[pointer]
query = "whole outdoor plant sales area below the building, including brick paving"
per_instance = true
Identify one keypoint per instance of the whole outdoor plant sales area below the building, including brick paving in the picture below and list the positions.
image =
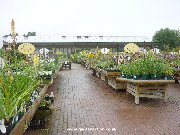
(100, 91)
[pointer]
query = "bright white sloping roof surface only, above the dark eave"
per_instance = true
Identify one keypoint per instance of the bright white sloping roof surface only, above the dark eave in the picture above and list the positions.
(20, 39)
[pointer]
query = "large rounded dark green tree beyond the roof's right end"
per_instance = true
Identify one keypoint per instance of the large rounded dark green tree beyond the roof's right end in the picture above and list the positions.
(167, 39)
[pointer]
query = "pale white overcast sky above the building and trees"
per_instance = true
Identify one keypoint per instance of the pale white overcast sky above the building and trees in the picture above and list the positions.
(90, 17)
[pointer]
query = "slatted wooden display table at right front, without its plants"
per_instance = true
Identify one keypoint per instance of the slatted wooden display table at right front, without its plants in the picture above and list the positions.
(148, 88)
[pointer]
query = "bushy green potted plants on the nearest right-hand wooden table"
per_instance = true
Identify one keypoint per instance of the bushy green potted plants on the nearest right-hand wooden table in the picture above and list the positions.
(150, 64)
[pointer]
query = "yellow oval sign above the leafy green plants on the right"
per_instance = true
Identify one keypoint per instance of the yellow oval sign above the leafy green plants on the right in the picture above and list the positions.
(131, 48)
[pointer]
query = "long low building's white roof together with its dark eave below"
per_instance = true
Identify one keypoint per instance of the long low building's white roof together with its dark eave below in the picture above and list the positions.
(81, 41)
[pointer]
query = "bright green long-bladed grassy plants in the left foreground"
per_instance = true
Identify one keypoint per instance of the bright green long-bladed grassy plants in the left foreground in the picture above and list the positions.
(15, 89)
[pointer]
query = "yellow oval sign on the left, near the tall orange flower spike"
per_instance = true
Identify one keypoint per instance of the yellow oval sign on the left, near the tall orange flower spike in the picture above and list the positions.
(26, 48)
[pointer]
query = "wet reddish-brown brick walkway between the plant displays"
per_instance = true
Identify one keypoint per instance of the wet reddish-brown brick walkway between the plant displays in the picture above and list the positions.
(85, 105)
